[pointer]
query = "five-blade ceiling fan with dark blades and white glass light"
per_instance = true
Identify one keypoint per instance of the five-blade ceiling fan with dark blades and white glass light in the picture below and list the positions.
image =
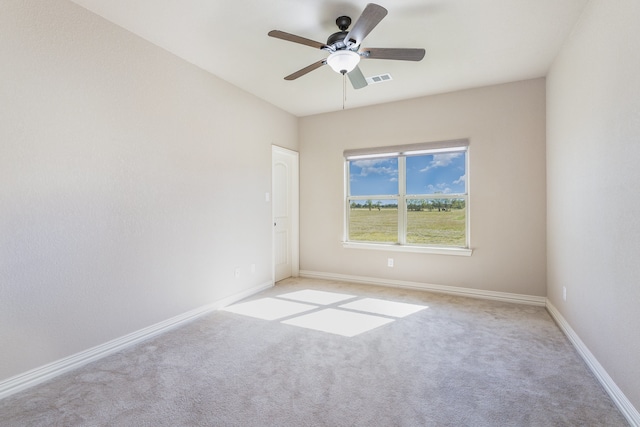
(344, 46)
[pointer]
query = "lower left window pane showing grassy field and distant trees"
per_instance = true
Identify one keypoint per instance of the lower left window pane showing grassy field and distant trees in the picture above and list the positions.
(373, 221)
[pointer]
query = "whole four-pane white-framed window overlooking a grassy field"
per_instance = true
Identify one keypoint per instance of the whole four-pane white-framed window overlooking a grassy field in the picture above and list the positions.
(412, 197)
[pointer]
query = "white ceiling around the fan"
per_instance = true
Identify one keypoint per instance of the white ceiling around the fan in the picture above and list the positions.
(468, 43)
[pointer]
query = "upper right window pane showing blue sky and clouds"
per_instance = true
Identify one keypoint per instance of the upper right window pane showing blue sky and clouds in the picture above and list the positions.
(443, 173)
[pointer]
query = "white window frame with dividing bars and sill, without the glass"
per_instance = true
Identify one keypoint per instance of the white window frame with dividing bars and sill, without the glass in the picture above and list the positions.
(401, 153)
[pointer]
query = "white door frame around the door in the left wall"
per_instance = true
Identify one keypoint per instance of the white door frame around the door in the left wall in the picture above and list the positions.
(295, 211)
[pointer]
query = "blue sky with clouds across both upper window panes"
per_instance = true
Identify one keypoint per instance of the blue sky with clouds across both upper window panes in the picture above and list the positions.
(426, 174)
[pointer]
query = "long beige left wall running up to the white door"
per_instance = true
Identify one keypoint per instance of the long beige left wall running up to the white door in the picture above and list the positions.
(131, 184)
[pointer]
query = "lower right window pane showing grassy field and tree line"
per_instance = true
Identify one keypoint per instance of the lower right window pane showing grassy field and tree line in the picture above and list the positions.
(437, 222)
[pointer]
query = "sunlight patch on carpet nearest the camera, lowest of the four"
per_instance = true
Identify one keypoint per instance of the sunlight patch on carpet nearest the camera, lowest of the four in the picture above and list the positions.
(338, 322)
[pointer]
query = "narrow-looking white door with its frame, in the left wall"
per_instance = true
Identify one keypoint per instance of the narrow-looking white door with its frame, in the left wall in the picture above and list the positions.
(285, 212)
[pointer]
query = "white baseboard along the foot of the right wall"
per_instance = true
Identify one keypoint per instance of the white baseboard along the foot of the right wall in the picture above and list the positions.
(628, 410)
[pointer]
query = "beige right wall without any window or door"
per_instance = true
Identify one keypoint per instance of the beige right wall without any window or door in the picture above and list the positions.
(593, 151)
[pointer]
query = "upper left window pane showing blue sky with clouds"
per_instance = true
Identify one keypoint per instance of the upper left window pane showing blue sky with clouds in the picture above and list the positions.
(373, 177)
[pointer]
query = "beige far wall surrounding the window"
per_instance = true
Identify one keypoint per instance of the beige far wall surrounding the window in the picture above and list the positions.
(505, 125)
